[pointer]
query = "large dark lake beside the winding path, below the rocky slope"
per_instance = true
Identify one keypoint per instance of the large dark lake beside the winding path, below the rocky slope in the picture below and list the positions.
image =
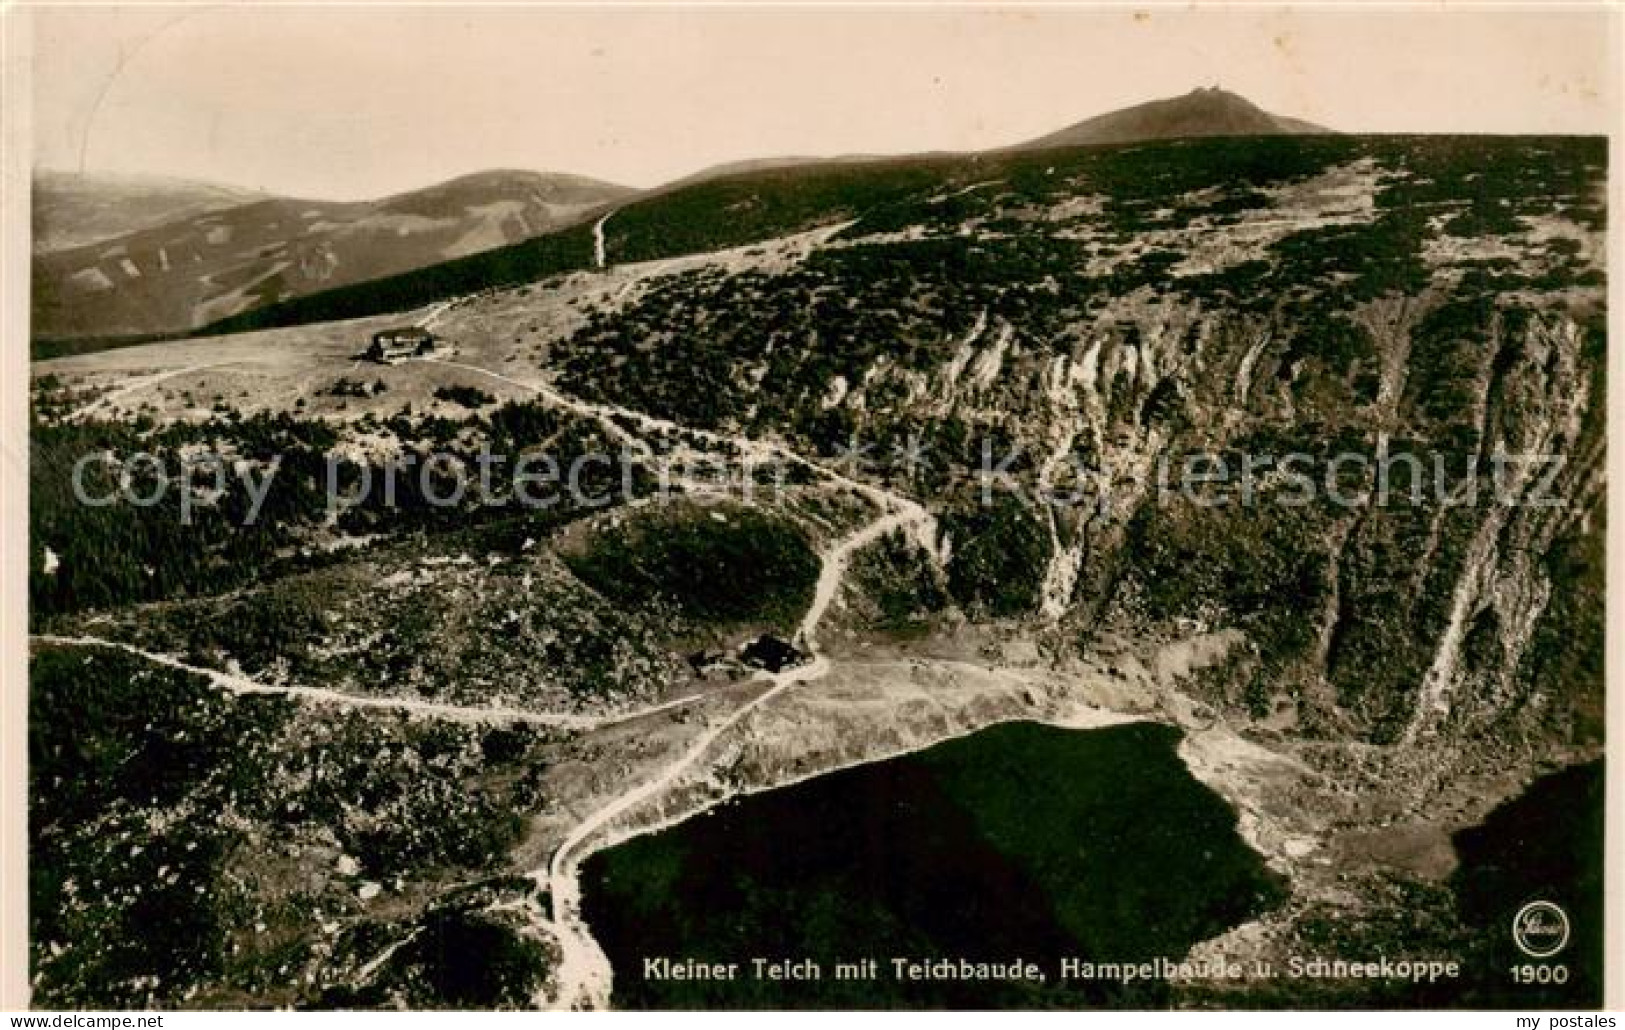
(1016, 842)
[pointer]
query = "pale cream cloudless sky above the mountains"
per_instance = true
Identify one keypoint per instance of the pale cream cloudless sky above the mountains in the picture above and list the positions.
(347, 103)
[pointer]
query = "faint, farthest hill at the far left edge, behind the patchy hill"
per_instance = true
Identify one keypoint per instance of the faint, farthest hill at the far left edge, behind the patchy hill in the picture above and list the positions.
(74, 210)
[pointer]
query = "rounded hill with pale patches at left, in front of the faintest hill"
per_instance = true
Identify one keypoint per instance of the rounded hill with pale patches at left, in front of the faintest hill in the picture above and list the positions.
(215, 264)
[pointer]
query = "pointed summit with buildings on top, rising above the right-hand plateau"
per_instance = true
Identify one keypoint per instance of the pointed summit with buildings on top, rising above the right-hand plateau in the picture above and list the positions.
(1200, 113)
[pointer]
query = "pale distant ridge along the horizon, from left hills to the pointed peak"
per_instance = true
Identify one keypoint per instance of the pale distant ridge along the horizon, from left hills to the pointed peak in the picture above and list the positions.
(274, 251)
